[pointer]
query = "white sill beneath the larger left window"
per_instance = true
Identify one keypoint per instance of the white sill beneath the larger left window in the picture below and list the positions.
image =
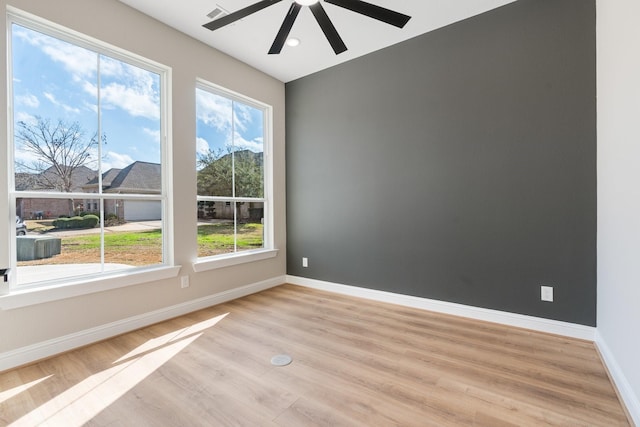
(77, 287)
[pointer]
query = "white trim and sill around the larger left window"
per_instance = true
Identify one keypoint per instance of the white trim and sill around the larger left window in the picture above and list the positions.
(12, 296)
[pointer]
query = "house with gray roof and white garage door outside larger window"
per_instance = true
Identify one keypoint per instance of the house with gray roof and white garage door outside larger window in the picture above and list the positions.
(137, 178)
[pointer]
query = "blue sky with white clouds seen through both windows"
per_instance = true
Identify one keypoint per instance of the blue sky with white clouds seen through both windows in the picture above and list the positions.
(57, 80)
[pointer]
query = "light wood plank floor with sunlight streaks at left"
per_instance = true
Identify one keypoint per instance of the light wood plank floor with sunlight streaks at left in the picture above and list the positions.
(355, 363)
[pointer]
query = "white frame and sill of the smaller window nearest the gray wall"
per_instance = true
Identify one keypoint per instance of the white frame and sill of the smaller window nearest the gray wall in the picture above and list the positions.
(268, 250)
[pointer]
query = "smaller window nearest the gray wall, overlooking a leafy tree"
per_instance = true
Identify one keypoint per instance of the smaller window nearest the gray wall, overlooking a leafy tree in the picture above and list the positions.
(232, 167)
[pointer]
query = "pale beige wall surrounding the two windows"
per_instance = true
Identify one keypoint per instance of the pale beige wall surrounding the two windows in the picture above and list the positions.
(119, 25)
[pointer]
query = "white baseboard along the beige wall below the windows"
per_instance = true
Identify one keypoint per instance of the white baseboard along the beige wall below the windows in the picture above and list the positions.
(42, 350)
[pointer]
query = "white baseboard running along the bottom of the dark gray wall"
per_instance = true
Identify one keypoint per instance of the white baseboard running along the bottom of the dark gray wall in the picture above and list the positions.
(512, 319)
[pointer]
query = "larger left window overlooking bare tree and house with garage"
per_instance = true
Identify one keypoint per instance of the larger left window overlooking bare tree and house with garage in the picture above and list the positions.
(89, 149)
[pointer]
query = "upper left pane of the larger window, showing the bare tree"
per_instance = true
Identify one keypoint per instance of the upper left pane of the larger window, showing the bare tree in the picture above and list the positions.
(55, 113)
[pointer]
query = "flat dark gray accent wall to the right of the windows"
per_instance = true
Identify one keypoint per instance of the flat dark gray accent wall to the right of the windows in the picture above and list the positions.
(458, 166)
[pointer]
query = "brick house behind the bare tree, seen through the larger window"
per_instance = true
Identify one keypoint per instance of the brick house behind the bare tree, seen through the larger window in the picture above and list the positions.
(33, 208)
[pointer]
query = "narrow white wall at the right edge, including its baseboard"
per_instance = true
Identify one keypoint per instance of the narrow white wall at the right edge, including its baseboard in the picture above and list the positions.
(618, 34)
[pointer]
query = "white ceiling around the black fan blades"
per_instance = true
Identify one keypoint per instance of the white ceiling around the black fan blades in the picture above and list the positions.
(249, 39)
